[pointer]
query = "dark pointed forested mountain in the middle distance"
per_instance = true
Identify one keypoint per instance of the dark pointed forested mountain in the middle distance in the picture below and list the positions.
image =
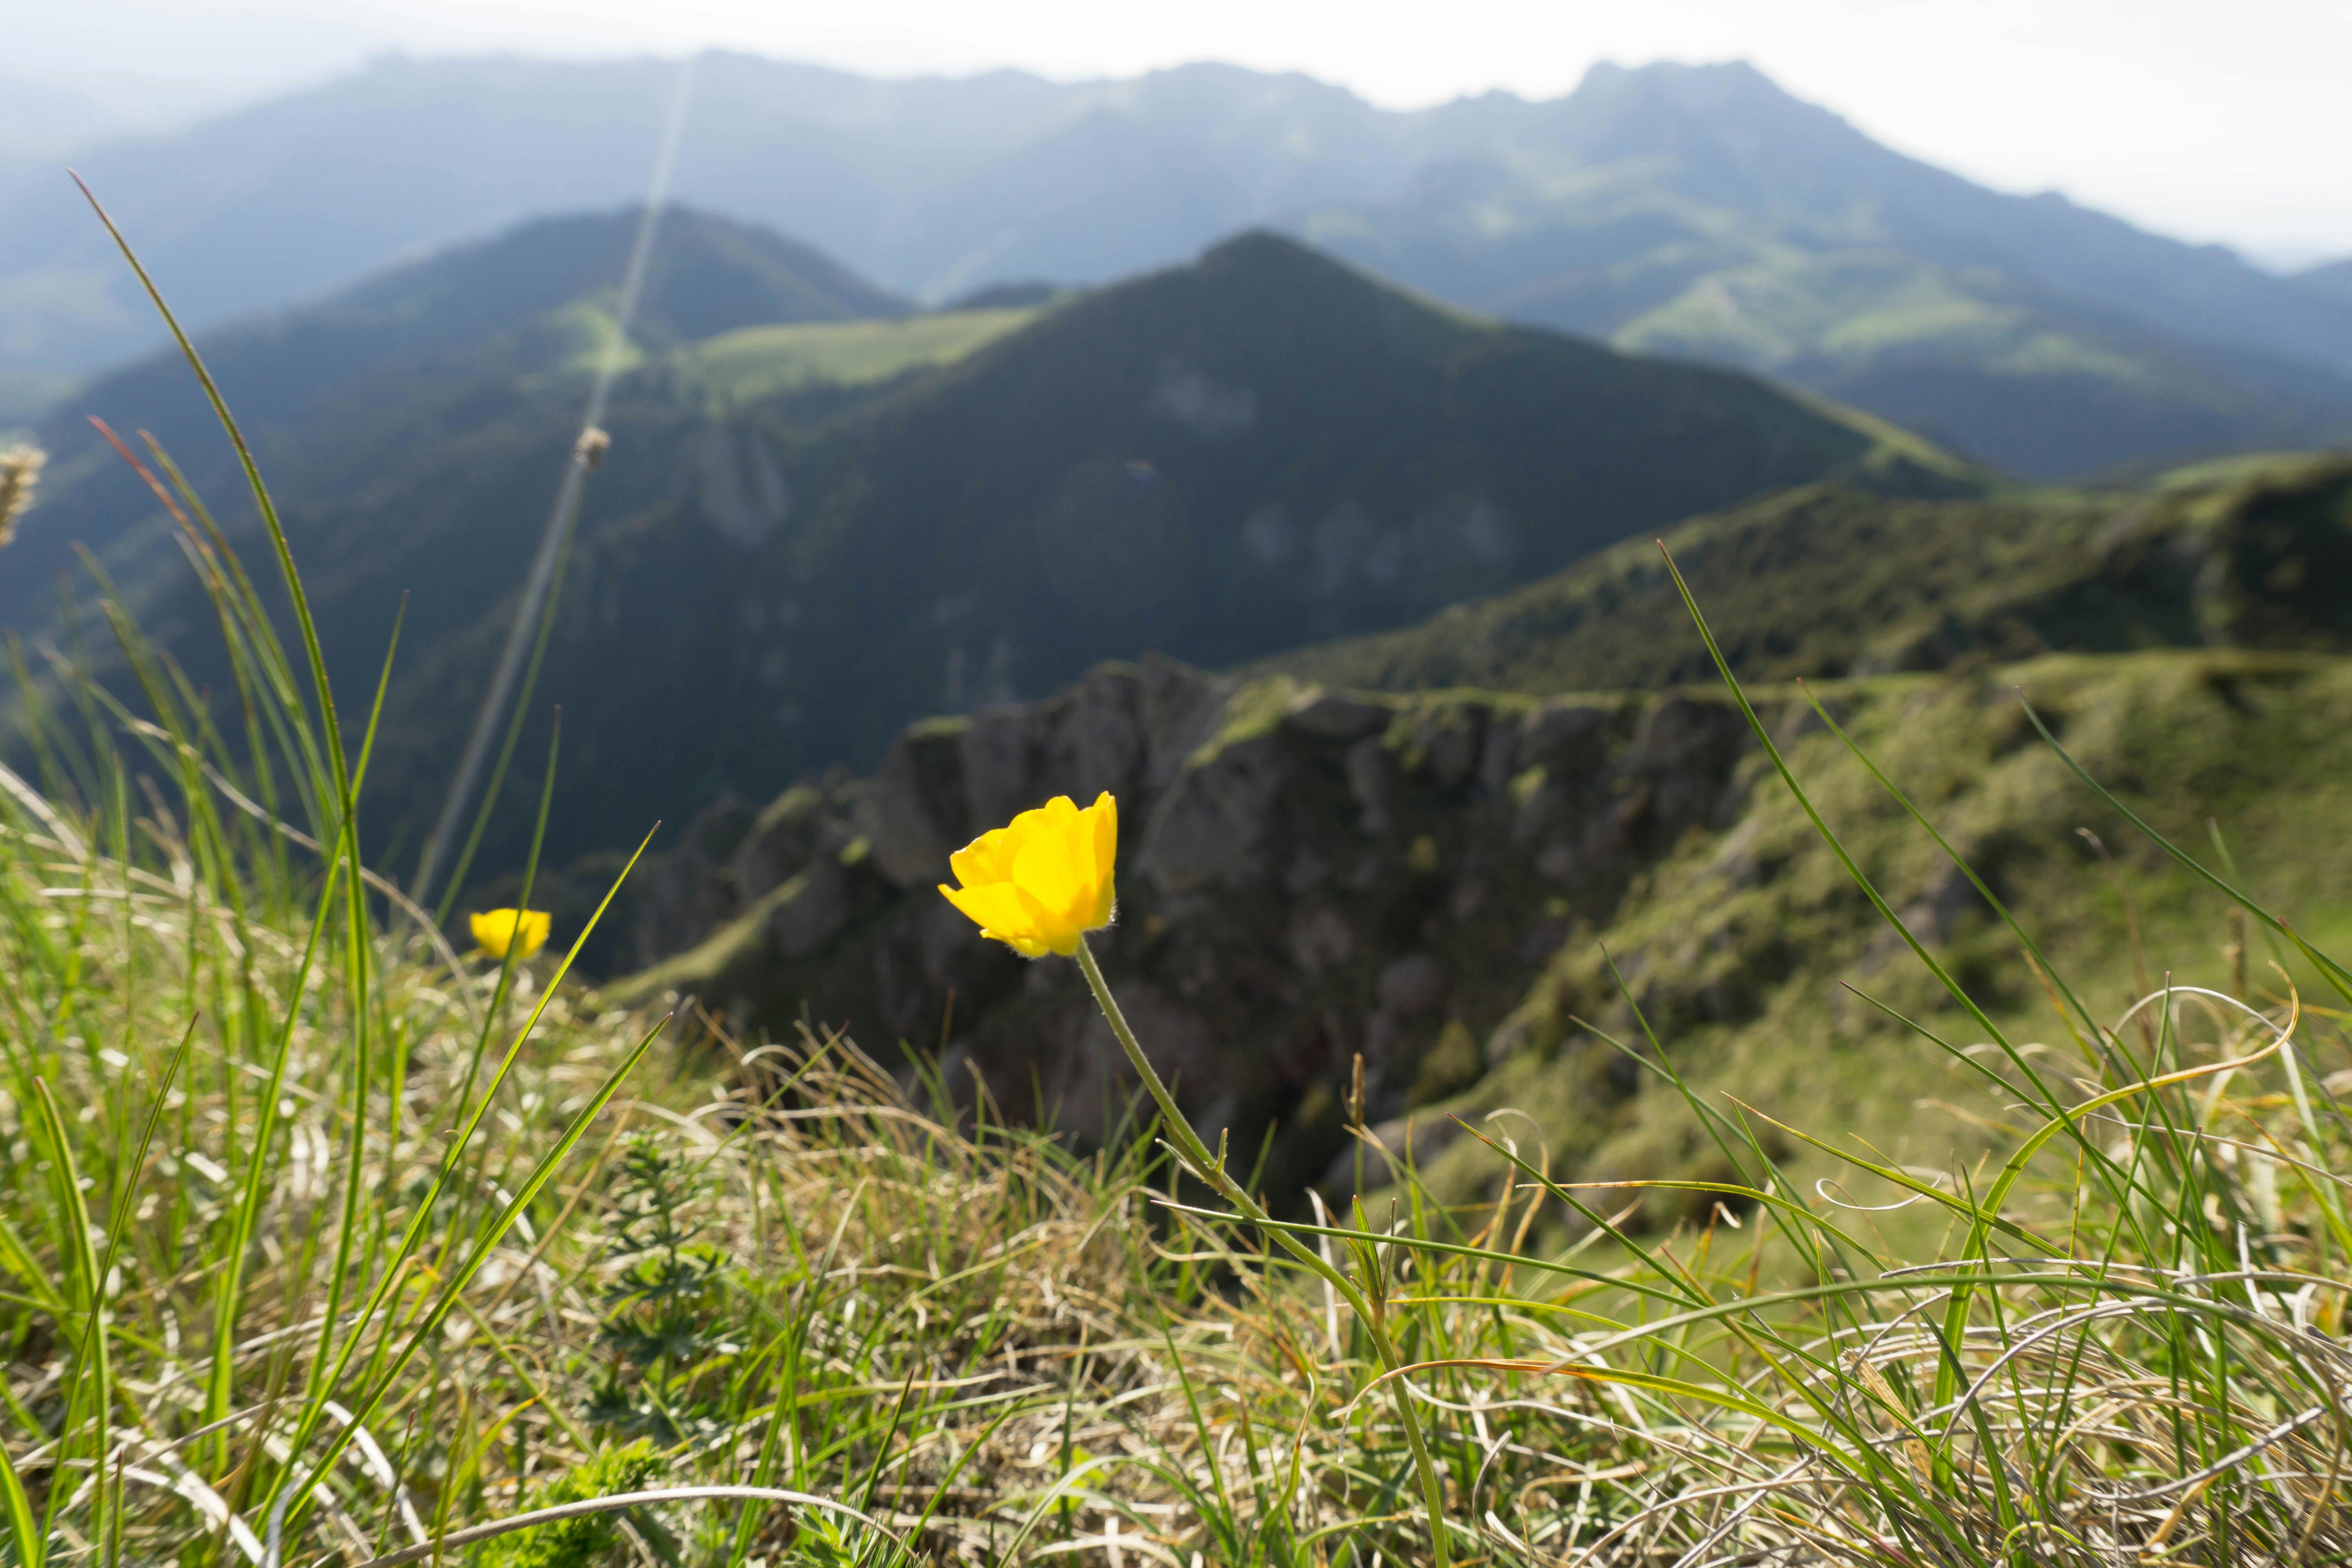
(1151, 467)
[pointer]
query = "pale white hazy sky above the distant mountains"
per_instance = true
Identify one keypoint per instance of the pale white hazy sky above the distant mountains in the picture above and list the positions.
(2212, 121)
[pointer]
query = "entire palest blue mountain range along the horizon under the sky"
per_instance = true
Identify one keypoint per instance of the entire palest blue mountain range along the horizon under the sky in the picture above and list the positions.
(1678, 210)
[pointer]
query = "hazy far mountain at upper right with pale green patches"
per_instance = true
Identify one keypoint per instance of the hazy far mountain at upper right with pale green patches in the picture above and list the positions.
(2024, 330)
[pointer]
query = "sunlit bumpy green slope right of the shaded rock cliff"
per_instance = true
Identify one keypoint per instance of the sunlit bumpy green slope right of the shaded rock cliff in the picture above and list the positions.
(1760, 970)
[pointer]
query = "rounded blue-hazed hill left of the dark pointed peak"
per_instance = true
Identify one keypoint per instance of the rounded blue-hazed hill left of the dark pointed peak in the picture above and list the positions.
(446, 384)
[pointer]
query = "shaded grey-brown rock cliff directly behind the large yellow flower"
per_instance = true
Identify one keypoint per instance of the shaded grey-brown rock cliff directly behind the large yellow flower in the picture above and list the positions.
(1304, 878)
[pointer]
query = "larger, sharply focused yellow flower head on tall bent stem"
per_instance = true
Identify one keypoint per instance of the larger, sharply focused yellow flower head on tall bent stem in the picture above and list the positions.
(1043, 880)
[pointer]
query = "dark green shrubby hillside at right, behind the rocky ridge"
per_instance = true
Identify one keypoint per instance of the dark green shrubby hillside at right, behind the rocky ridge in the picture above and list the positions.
(1829, 582)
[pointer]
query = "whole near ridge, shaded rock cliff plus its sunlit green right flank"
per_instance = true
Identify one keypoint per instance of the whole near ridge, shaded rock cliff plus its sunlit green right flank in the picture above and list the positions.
(1542, 920)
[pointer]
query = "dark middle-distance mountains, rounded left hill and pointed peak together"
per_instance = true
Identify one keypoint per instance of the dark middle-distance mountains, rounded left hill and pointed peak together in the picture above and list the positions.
(827, 518)
